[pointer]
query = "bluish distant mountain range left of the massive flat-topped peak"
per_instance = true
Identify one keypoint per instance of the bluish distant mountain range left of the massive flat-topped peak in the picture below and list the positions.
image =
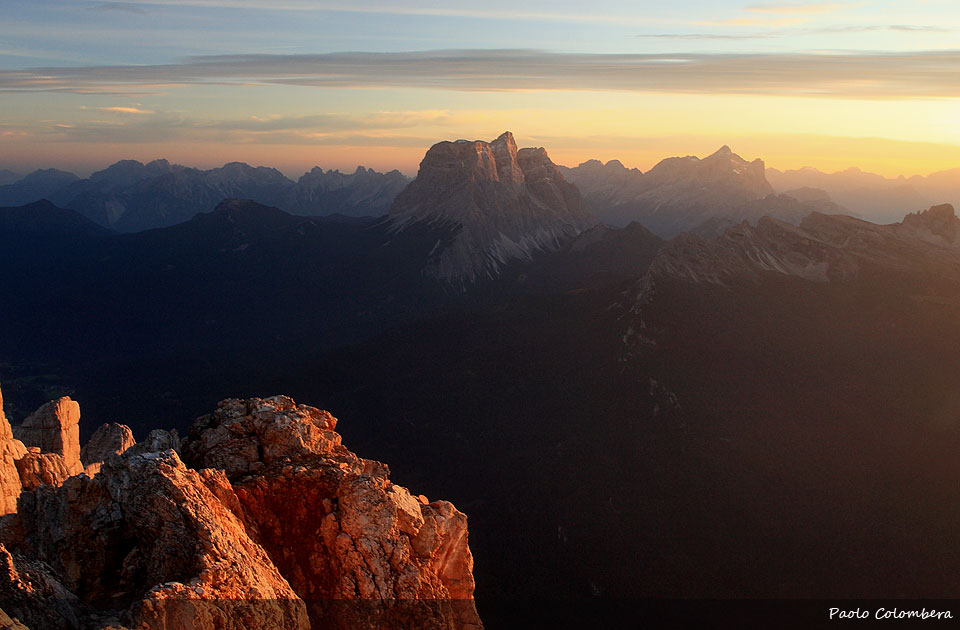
(130, 196)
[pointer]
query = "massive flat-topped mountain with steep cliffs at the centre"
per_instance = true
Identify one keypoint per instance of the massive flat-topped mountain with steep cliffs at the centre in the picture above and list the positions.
(504, 203)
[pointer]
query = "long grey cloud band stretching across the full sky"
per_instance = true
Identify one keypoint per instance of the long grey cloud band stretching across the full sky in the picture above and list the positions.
(859, 75)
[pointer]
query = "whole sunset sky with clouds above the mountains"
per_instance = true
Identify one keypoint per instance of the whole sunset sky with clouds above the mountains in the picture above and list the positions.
(297, 83)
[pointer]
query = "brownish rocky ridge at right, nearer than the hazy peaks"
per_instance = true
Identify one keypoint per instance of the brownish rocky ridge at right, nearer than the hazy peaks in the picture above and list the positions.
(923, 248)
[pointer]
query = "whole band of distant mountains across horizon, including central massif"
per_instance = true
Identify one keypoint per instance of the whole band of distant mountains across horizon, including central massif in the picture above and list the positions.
(680, 194)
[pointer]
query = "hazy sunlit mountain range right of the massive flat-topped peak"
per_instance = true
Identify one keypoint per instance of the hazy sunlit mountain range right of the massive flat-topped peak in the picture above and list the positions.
(706, 195)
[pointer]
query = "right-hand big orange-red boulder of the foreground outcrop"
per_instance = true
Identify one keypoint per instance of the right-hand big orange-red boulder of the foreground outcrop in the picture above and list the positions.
(370, 540)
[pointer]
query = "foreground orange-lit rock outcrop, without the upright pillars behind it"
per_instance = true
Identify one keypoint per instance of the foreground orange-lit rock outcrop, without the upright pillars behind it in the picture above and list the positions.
(260, 518)
